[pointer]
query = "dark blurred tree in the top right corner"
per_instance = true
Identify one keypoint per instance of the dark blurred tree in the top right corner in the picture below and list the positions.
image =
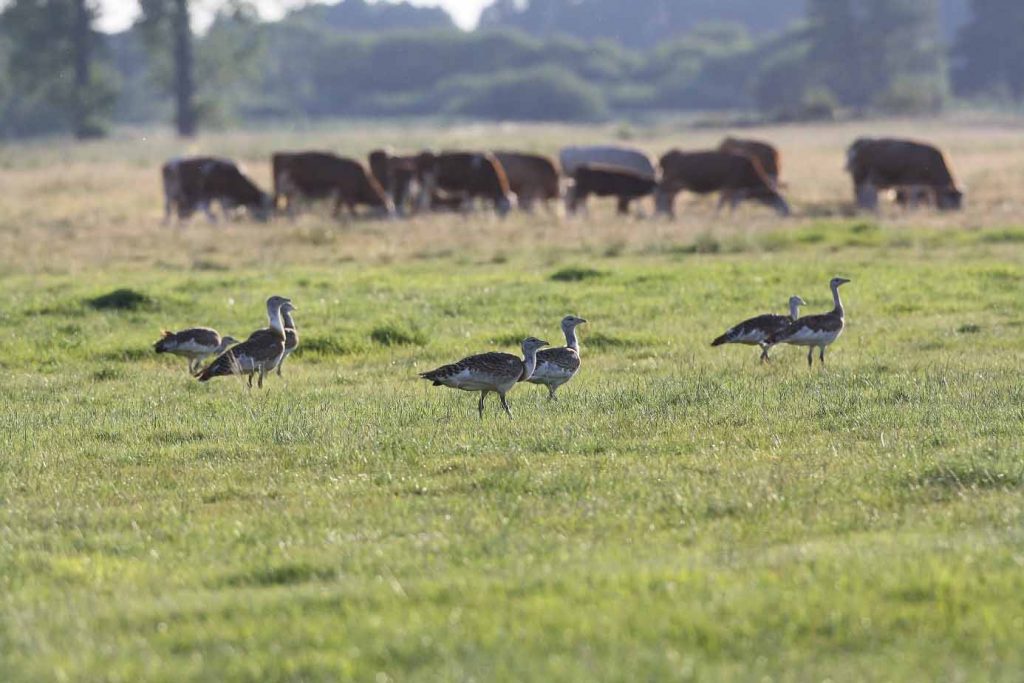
(989, 55)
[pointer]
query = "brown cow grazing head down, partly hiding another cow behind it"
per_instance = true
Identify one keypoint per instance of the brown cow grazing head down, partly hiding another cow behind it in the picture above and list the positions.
(737, 179)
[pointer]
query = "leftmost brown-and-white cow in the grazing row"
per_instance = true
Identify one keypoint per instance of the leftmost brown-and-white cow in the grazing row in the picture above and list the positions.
(196, 183)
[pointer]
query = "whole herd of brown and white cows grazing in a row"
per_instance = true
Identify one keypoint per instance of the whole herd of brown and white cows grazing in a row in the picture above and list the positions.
(391, 185)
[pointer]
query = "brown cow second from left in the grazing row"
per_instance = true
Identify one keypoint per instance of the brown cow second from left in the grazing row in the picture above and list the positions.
(323, 176)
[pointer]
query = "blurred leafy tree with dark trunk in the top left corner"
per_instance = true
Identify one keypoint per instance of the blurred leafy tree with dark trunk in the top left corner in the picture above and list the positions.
(54, 81)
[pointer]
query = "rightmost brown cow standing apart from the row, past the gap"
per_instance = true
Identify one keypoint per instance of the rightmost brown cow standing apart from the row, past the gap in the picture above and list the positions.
(913, 169)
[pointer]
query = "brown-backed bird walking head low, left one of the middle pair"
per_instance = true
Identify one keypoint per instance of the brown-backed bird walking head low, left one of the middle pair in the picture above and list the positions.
(489, 372)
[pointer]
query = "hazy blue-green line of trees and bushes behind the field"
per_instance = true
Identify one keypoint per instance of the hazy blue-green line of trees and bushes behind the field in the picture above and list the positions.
(59, 74)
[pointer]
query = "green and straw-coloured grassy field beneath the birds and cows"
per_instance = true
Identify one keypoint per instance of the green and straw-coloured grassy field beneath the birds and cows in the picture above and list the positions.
(682, 514)
